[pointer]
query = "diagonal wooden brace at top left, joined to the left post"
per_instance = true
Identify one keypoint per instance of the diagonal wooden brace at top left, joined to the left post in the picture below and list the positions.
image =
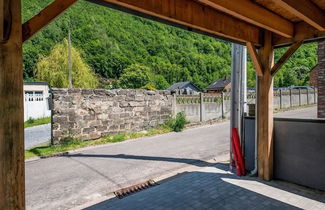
(43, 18)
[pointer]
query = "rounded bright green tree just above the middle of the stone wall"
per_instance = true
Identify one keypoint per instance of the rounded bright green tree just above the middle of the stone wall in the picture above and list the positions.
(135, 76)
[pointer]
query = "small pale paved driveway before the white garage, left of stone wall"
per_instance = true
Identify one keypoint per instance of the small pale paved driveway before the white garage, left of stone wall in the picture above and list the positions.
(37, 135)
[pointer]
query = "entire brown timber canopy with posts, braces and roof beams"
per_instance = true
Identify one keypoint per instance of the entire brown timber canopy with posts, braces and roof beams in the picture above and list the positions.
(259, 24)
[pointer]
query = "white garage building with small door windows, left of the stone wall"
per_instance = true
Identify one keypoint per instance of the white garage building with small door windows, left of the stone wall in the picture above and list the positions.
(36, 95)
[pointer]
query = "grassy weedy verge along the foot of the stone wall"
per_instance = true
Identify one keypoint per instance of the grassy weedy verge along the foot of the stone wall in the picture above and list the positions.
(71, 144)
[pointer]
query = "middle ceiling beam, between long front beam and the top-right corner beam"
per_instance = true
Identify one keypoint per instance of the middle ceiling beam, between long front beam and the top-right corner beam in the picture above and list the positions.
(253, 13)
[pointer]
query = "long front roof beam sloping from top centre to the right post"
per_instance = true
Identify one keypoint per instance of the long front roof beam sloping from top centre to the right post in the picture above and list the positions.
(194, 15)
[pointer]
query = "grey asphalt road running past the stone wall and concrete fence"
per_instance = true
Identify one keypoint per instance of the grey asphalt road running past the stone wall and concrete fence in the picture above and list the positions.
(64, 182)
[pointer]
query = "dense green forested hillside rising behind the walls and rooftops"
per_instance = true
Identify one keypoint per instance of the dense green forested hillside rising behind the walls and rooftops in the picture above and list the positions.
(110, 42)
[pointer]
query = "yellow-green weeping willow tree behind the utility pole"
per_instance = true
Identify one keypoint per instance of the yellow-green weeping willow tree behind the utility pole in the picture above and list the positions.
(54, 69)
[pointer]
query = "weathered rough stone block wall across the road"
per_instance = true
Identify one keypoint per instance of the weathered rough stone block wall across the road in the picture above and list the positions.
(90, 114)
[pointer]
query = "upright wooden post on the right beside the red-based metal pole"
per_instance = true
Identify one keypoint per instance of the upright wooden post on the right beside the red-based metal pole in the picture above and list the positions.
(265, 111)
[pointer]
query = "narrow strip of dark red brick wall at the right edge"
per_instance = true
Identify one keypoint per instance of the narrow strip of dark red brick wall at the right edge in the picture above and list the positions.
(321, 79)
